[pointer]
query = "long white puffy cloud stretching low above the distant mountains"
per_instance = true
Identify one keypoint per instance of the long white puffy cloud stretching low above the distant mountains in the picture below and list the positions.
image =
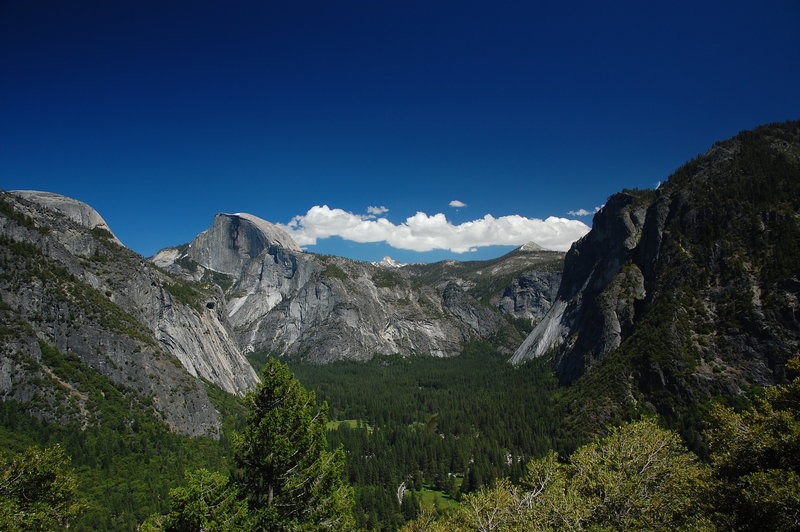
(422, 232)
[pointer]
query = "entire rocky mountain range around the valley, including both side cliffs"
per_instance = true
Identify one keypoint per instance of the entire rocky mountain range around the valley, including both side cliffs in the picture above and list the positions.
(675, 296)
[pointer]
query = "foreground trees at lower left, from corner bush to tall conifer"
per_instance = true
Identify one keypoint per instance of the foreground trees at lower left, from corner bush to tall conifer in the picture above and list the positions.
(284, 477)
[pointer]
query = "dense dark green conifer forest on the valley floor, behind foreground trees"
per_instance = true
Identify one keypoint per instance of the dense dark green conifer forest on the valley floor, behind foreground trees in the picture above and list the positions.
(441, 428)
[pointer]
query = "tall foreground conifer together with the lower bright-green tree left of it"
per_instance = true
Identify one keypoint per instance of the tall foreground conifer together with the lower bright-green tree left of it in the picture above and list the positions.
(286, 478)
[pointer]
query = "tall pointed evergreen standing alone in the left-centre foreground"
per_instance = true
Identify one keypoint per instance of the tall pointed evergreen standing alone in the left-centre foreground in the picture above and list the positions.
(289, 477)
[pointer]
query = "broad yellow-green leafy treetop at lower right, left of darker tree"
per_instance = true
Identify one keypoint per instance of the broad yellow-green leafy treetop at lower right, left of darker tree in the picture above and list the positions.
(639, 477)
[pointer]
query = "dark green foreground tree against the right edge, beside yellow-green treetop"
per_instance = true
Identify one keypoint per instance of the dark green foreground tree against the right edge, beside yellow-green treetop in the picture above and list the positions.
(754, 455)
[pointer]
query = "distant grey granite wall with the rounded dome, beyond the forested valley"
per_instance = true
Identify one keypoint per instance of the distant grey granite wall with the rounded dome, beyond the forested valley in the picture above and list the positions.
(322, 308)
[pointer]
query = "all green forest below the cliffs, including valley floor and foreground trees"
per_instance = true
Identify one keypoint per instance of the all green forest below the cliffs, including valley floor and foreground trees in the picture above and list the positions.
(461, 442)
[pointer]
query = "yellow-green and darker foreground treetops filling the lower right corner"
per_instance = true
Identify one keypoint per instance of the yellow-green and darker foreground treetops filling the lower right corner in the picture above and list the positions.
(641, 477)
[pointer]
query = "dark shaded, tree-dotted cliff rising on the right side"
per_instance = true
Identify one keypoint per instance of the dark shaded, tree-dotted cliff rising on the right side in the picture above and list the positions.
(691, 290)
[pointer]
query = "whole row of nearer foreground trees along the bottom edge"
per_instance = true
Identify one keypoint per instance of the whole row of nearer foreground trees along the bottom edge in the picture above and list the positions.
(639, 476)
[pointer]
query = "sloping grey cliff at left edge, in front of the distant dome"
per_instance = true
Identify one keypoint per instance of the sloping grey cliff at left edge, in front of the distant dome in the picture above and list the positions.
(68, 284)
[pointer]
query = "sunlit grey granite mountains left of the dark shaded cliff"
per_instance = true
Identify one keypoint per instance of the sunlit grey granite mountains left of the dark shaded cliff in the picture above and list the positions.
(73, 294)
